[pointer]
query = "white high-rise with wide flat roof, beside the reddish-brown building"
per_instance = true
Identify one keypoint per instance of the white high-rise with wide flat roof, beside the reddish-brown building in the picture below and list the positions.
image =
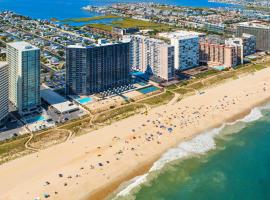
(186, 47)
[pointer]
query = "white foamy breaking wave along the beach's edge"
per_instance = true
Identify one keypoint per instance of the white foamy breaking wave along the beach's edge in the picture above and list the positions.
(199, 145)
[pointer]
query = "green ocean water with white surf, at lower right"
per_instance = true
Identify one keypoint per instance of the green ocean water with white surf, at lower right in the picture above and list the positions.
(227, 163)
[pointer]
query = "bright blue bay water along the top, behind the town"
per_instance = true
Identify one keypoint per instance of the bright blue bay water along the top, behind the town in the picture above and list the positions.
(63, 9)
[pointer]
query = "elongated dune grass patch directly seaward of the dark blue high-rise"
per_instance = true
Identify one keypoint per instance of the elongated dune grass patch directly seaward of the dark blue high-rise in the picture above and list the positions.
(118, 114)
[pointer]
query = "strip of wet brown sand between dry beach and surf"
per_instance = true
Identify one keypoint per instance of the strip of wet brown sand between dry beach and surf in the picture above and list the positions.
(113, 188)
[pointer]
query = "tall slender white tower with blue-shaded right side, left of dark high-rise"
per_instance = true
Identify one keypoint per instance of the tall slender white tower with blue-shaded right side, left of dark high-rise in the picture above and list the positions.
(24, 76)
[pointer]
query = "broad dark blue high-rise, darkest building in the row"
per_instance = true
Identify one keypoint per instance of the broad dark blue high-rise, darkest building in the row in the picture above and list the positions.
(95, 69)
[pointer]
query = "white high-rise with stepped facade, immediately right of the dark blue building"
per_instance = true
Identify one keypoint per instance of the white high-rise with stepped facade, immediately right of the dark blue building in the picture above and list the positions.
(152, 55)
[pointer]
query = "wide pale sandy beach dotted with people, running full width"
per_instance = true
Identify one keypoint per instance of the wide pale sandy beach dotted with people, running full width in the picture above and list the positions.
(93, 165)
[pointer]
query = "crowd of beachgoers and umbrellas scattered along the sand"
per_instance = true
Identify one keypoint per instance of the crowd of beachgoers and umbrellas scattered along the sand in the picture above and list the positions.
(156, 129)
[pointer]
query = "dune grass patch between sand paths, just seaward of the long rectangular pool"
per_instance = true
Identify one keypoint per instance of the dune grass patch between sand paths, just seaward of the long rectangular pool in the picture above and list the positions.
(159, 99)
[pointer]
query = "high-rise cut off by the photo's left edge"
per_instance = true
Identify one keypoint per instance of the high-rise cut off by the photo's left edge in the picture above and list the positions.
(3, 92)
